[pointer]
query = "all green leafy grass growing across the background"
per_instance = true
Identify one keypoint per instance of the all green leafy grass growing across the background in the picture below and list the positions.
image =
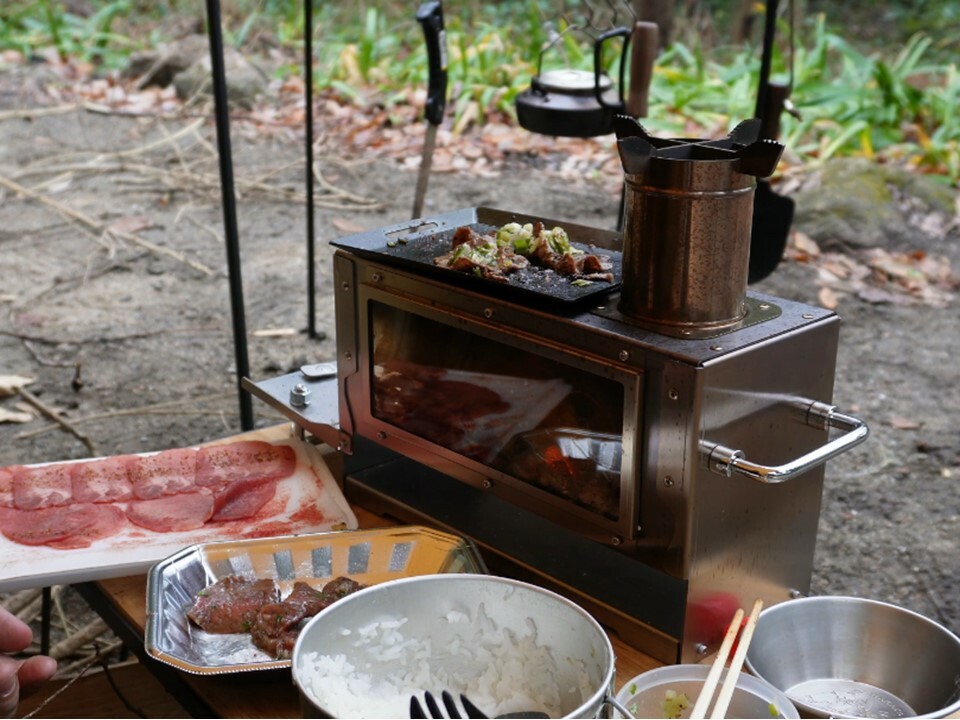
(897, 102)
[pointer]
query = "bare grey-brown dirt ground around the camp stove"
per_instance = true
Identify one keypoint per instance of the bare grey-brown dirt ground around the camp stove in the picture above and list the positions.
(114, 297)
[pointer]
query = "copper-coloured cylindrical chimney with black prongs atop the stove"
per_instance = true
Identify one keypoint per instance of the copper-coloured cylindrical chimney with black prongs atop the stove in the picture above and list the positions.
(688, 216)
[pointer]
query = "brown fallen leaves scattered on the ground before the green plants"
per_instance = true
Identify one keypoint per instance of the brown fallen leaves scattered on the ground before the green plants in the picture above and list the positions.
(396, 131)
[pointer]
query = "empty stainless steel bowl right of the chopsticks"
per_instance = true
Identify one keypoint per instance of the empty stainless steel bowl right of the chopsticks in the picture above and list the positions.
(856, 658)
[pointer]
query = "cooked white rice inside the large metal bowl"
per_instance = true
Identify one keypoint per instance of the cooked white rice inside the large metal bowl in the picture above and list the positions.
(499, 670)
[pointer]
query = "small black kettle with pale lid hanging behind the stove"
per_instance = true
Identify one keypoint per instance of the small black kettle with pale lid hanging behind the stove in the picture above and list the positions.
(575, 103)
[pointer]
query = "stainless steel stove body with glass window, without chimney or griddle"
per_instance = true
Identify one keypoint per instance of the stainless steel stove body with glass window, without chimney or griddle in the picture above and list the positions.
(663, 481)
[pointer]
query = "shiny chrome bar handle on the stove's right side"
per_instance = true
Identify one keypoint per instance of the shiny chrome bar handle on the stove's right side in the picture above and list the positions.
(727, 461)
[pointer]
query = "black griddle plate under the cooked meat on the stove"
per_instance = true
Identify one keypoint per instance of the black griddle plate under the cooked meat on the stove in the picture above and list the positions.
(414, 244)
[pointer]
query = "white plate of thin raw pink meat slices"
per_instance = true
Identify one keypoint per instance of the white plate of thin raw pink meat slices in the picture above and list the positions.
(86, 520)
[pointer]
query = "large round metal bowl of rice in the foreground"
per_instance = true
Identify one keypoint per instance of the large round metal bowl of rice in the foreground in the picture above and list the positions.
(445, 626)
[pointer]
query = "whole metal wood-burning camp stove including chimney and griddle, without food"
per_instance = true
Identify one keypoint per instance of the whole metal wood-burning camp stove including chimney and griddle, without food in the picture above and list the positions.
(653, 448)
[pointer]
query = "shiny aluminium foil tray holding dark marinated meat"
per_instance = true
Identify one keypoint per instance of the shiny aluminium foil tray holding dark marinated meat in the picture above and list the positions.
(367, 556)
